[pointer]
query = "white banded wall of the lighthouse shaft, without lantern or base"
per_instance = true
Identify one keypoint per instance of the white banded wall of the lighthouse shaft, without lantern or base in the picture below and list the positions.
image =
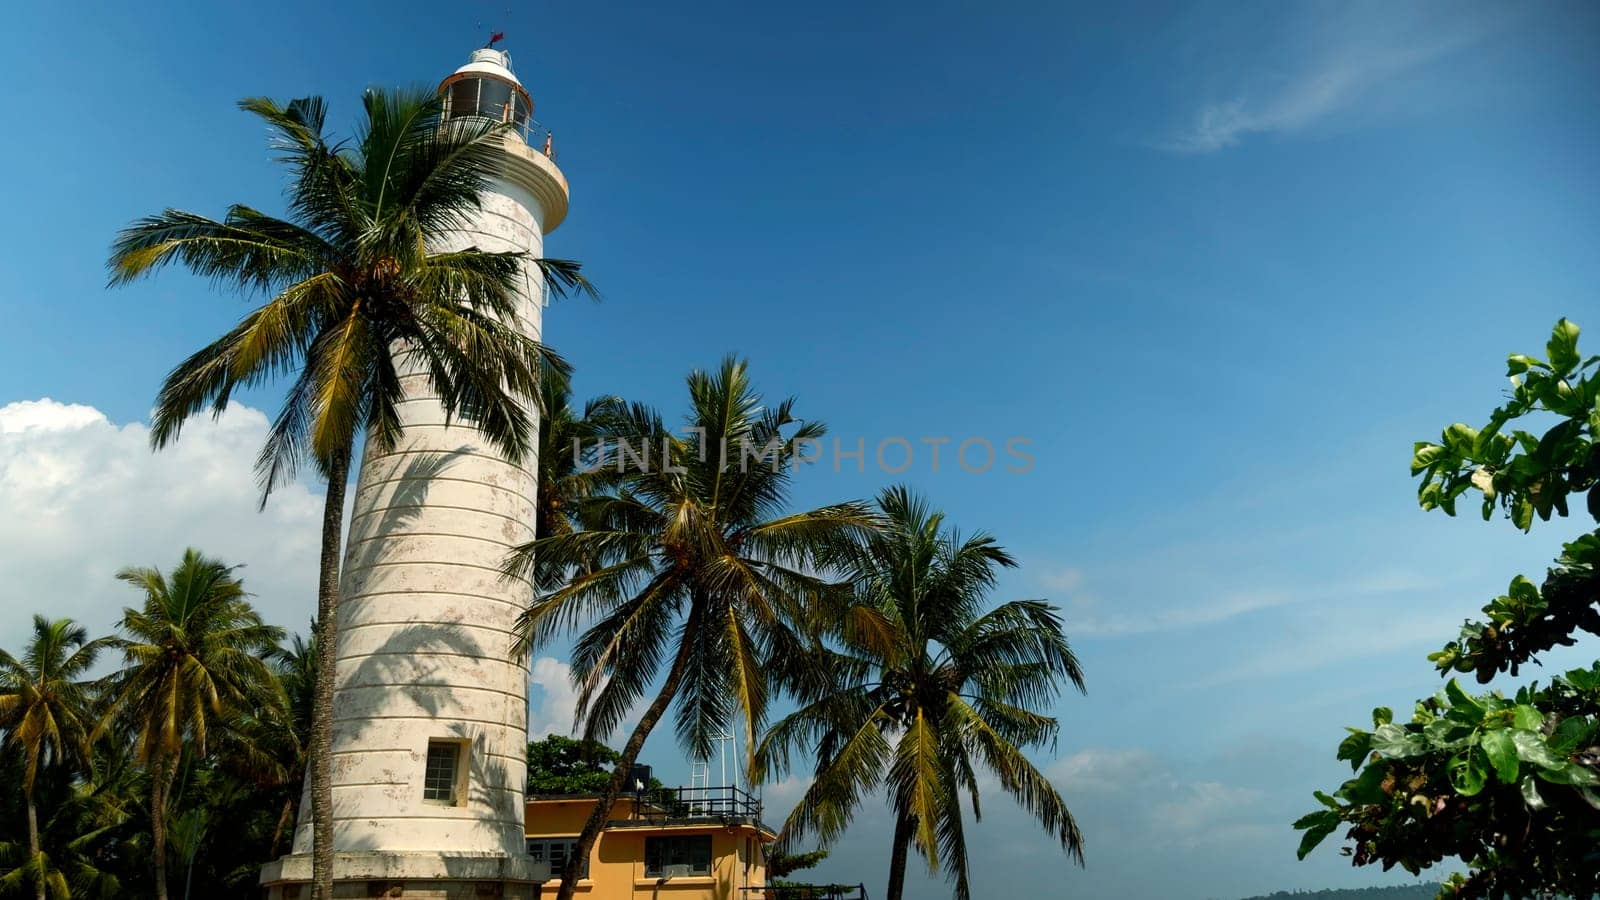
(425, 617)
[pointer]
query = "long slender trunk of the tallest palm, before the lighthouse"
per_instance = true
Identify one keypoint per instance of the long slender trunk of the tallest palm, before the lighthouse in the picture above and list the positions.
(322, 696)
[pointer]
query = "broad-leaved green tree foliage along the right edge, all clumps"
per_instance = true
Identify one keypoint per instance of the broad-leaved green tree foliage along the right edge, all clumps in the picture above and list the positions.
(1508, 787)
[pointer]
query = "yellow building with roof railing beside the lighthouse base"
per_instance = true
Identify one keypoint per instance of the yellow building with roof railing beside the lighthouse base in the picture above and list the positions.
(673, 845)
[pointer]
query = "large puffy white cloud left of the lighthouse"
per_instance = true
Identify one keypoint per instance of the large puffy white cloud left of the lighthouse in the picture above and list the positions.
(82, 497)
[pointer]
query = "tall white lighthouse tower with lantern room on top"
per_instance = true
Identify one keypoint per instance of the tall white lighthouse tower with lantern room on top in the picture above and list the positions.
(431, 712)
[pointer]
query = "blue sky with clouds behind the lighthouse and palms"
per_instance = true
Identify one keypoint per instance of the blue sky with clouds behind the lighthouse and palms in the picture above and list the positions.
(1222, 265)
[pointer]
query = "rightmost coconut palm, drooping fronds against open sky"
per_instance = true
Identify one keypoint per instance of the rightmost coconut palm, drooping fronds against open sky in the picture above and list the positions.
(927, 686)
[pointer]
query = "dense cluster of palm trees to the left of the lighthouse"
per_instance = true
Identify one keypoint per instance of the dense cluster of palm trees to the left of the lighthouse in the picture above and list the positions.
(188, 757)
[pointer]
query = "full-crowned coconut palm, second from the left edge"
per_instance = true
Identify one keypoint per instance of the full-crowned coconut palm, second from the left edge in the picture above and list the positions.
(193, 664)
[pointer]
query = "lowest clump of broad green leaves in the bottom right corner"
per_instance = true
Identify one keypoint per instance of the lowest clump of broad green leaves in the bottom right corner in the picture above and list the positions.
(1449, 782)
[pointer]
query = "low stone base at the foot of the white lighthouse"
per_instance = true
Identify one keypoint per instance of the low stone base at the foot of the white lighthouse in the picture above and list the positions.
(412, 875)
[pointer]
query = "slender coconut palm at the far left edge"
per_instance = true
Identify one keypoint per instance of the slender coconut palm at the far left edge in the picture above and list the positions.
(46, 712)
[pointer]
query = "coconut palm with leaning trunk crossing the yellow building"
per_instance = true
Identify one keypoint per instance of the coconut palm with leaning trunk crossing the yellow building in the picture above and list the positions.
(687, 569)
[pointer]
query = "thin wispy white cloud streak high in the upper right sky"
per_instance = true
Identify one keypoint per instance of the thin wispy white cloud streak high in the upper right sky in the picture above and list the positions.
(1351, 63)
